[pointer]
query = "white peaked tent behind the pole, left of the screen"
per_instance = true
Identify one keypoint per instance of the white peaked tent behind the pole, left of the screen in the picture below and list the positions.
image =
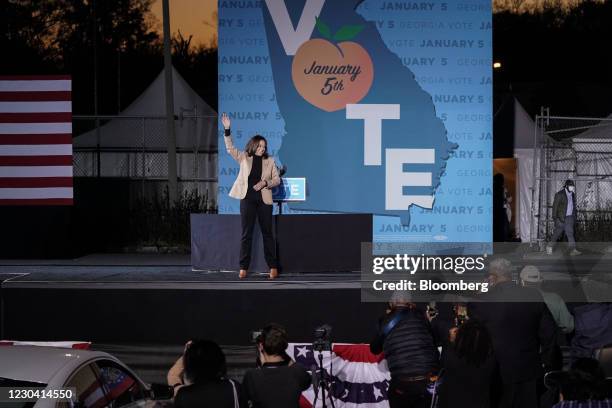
(133, 144)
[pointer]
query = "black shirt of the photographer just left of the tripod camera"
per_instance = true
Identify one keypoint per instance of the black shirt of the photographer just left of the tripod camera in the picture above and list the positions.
(276, 385)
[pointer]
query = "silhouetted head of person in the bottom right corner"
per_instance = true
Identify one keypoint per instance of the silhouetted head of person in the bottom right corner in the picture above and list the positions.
(584, 385)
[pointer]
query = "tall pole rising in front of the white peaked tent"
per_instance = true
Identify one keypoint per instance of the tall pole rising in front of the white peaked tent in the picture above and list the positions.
(172, 179)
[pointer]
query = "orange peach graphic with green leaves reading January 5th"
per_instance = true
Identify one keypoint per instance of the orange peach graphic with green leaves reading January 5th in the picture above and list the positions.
(330, 76)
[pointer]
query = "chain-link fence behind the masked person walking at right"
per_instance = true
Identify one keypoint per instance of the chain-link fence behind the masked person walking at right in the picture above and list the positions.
(579, 149)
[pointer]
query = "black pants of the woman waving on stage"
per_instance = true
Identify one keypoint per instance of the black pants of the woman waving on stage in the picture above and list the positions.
(251, 208)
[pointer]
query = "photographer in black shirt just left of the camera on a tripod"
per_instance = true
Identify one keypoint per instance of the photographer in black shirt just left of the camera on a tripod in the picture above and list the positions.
(279, 382)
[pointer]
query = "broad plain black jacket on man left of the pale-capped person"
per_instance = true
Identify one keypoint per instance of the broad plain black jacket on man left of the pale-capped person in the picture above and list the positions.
(523, 331)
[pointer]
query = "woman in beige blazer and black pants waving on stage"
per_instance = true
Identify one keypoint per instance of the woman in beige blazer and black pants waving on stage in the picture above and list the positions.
(253, 187)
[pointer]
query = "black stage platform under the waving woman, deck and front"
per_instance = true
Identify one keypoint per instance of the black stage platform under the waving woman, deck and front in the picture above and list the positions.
(158, 298)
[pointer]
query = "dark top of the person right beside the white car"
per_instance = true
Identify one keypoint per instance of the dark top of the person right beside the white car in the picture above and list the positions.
(213, 394)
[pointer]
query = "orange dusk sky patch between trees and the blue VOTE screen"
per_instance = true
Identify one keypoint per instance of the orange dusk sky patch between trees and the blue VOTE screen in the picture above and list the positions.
(189, 16)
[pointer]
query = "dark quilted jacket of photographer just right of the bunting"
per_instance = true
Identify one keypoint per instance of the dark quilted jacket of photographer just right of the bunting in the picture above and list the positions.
(409, 347)
